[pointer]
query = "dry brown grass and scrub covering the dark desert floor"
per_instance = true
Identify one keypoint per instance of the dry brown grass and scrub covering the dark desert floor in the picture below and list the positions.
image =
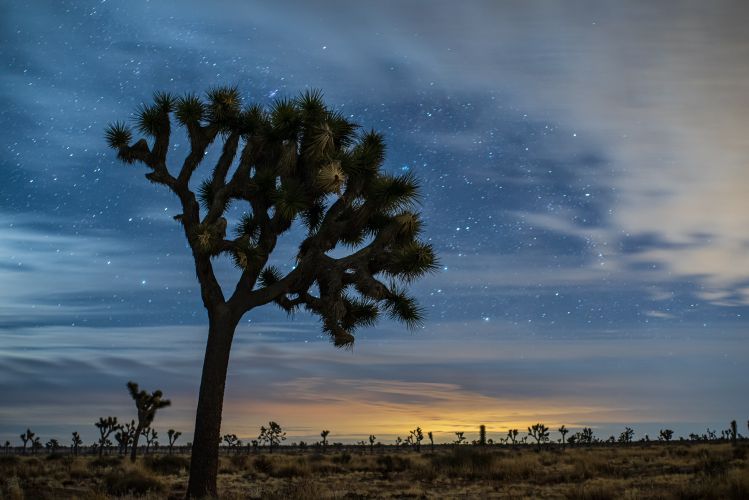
(677, 471)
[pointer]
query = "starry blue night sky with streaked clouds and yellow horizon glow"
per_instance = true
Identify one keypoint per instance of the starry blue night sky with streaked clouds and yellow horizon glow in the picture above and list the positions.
(585, 184)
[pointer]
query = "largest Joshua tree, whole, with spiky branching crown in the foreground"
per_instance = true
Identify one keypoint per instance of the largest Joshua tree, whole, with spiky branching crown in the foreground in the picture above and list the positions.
(299, 160)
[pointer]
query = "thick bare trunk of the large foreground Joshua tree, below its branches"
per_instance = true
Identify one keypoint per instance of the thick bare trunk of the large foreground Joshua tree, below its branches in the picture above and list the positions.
(204, 458)
